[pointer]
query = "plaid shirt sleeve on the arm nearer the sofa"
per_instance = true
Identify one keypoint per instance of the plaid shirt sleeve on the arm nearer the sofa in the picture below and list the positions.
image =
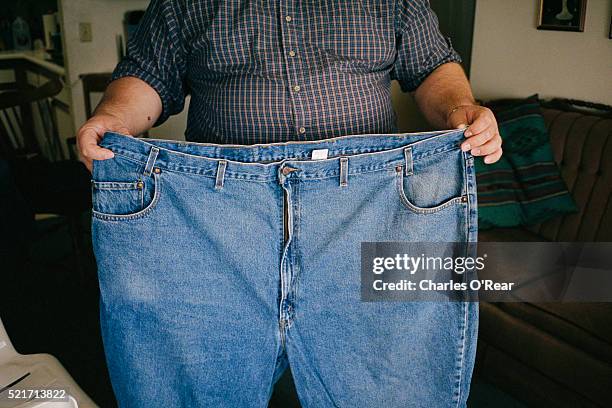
(421, 47)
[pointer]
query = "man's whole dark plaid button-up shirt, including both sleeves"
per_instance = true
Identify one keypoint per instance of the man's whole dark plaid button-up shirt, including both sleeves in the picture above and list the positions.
(264, 71)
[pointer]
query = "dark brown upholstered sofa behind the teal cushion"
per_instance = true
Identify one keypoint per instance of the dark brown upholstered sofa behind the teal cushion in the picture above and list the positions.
(559, 354)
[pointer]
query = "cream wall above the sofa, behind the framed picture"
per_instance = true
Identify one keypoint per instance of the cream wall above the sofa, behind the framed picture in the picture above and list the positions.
(511, 58)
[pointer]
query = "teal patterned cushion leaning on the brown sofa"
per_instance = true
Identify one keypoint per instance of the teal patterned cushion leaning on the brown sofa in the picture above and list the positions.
(524, 187)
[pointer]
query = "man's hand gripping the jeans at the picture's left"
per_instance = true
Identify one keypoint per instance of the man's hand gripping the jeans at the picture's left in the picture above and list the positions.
(90, 135)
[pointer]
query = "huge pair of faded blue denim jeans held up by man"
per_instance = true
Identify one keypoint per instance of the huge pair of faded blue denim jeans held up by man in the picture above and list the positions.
(219, 265)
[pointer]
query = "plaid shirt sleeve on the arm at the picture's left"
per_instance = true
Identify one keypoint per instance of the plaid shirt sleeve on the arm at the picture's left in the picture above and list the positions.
(156, 54)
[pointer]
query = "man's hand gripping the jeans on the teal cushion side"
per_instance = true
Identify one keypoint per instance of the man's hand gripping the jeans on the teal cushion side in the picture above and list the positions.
(483, 137)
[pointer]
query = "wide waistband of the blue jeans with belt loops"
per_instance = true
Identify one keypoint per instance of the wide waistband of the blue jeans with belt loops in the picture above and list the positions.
(263, 162)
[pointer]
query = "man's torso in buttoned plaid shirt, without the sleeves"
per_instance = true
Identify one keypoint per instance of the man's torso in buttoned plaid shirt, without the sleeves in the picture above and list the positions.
(266, 71)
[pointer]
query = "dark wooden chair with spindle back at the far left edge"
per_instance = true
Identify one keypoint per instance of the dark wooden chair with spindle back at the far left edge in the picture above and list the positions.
(48, 183)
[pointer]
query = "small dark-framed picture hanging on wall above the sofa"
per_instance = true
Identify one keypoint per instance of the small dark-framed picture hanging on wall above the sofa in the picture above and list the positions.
(563, 15)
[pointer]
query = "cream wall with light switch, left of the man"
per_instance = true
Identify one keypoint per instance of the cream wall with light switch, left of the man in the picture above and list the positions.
(100, 55)
